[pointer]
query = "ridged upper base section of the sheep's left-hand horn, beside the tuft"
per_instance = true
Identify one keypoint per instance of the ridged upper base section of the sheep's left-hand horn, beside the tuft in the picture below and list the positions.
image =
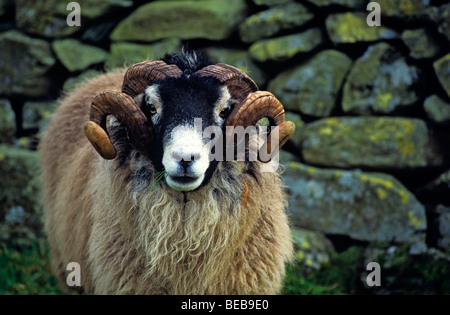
(142, 74)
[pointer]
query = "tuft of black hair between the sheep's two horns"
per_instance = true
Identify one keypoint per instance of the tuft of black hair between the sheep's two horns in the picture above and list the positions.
(189, 61)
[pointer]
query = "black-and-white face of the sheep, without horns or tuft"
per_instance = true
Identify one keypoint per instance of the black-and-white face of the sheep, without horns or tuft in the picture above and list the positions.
(180, 109)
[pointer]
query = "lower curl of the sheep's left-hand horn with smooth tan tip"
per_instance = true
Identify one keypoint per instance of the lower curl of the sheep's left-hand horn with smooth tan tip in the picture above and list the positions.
(128, 112)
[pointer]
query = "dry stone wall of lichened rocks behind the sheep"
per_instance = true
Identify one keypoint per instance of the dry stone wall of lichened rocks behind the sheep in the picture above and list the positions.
(370, 157)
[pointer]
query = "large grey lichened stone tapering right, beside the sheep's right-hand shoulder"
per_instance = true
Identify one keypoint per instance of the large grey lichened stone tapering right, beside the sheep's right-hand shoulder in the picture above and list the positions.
(364, 206)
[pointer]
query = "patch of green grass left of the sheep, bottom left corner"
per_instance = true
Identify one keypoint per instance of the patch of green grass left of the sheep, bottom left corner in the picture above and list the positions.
(26, 270)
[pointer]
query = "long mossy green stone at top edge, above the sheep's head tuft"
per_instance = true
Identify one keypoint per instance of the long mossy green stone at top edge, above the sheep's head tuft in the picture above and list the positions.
(181, 19)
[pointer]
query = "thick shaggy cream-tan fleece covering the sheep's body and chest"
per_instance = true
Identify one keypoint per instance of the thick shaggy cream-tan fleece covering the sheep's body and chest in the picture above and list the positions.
(230, 236)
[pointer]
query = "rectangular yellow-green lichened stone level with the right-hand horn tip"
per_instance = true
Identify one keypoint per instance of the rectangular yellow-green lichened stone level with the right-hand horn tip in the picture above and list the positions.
(375, 142)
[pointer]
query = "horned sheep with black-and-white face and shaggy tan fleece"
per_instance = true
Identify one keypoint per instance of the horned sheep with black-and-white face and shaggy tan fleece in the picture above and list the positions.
(141, 208)
